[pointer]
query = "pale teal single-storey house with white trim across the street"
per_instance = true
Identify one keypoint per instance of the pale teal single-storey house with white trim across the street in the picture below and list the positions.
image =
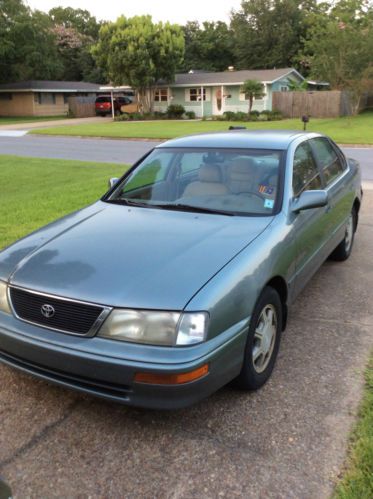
(208, 93)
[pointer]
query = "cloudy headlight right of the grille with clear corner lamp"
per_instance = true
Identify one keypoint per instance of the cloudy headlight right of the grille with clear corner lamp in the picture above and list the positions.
(155, 328)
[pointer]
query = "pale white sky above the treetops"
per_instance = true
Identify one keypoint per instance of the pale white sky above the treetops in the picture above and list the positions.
(175, 11)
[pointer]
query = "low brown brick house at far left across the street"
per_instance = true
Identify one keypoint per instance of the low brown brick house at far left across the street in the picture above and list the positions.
(42, 98)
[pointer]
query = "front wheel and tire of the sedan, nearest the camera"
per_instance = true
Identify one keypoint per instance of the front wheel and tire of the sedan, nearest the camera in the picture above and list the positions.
(255, 372)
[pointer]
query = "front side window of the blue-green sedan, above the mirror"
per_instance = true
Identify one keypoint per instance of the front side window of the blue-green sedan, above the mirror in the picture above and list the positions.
(305, 172)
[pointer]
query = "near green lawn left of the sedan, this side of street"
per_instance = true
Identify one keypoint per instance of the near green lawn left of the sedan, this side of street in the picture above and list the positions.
(36, 191)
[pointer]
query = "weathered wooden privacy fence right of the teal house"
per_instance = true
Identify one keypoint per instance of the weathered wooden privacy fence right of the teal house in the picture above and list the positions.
(317, 104)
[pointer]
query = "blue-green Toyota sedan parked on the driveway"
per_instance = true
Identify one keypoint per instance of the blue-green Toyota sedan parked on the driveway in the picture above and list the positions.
(179, 279)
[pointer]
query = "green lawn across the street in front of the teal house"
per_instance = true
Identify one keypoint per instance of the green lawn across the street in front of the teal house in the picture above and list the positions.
(346, 130)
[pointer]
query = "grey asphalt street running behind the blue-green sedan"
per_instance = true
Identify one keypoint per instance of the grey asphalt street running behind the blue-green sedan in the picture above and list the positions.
(117, 151)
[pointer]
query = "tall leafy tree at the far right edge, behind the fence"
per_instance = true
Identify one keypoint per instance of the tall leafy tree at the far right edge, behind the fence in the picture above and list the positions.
(339, 48)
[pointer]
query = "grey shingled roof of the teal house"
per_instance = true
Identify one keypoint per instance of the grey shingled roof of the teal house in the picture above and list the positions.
(231, 77)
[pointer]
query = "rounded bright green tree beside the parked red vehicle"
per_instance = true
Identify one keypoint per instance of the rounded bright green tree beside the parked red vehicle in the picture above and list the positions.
(139, 53)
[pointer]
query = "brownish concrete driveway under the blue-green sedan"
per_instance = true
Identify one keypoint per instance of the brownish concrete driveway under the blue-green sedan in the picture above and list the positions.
(286, 441)
